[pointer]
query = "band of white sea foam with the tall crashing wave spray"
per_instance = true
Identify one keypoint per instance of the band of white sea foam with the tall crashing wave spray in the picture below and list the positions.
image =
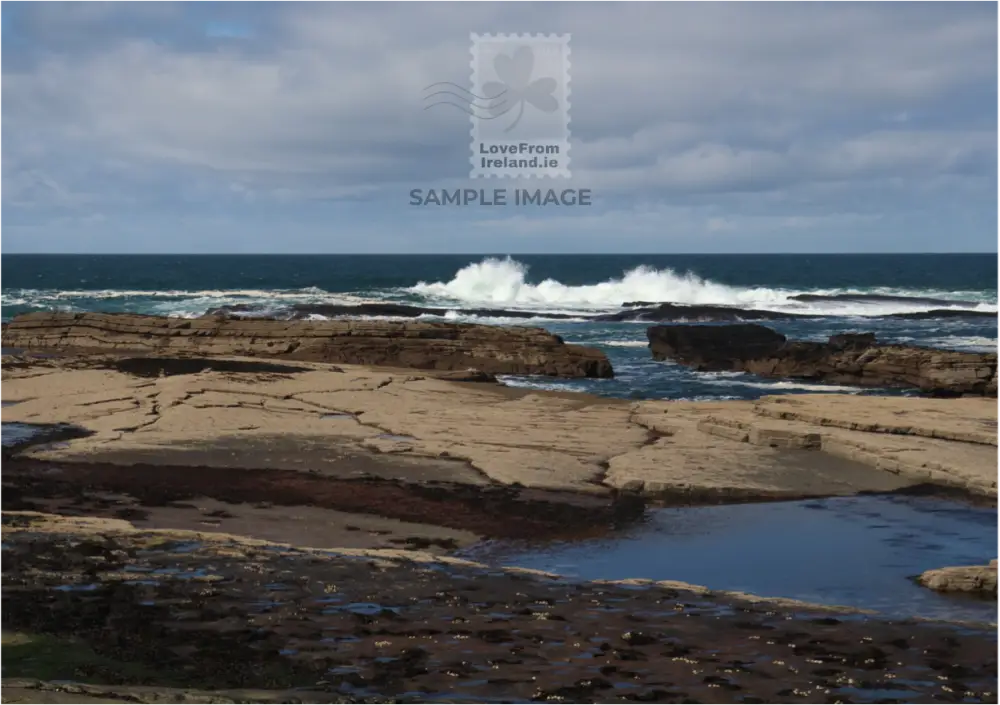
(504, 283)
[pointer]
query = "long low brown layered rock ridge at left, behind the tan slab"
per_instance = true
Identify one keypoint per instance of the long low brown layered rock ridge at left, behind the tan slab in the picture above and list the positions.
(410, 344)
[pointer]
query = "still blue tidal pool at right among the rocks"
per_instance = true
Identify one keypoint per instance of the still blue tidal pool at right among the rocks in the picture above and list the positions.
(853, 551)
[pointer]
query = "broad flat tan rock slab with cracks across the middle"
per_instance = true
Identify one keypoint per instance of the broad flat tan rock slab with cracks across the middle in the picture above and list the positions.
(328, 420)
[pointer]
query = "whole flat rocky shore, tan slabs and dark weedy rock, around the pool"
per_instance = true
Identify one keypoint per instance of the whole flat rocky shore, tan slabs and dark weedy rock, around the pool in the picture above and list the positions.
(155, 516)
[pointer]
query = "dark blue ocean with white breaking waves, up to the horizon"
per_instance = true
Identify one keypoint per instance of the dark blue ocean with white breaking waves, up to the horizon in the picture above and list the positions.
(845, 292)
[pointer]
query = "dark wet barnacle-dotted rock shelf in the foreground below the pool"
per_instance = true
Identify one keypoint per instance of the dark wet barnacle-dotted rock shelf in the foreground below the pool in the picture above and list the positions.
(223, 612)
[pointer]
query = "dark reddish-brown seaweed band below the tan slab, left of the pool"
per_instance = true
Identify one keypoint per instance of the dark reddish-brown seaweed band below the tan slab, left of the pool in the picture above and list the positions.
(131, 492)
